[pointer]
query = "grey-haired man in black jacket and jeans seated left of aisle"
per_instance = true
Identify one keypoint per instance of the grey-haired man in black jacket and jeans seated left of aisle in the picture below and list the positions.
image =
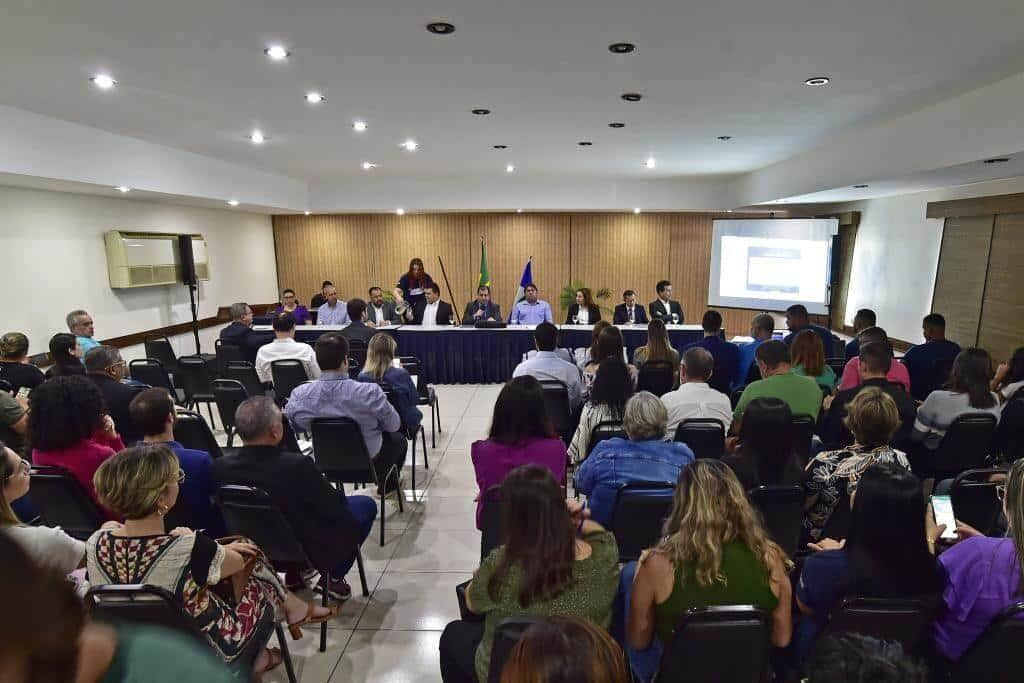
(330, 526)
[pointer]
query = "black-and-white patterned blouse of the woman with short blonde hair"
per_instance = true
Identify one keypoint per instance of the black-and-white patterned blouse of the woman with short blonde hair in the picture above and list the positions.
(835, 474)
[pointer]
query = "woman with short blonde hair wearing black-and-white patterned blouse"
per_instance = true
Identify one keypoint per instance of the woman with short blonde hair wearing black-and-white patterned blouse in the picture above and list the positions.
(873, 419)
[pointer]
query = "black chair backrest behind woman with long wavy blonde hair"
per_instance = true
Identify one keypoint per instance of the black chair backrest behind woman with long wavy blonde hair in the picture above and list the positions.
(720, 644)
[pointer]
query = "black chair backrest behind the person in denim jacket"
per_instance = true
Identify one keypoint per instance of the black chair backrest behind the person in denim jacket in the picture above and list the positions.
(642, 508)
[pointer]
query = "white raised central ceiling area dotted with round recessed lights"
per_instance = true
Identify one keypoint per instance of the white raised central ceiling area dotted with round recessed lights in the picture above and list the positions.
(193, 76)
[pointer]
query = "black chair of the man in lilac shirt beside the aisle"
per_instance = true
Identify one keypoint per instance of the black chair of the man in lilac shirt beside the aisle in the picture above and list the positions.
(343, 456)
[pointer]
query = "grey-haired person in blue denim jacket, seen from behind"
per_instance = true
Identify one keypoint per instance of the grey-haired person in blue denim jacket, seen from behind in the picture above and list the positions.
(645, 456)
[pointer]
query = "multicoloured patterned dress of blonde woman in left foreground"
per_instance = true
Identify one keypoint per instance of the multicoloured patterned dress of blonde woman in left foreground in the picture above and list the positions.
(188, 567)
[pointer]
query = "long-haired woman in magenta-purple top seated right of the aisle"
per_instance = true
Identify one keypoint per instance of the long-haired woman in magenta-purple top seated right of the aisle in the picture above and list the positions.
(521, 435)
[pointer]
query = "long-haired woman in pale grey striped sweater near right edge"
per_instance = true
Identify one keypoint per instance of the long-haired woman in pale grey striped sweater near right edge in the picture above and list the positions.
(968, 393)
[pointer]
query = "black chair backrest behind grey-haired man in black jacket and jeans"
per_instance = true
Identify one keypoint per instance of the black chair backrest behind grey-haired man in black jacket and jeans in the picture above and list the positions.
(251, 513)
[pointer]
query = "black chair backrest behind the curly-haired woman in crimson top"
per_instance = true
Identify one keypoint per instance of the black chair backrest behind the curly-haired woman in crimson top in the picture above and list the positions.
(62, 501)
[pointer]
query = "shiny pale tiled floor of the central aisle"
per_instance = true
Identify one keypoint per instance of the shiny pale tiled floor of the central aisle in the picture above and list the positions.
(392, 637)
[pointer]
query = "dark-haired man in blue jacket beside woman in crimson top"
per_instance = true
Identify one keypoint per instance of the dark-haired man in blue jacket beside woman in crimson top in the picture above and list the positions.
(154, 413)
